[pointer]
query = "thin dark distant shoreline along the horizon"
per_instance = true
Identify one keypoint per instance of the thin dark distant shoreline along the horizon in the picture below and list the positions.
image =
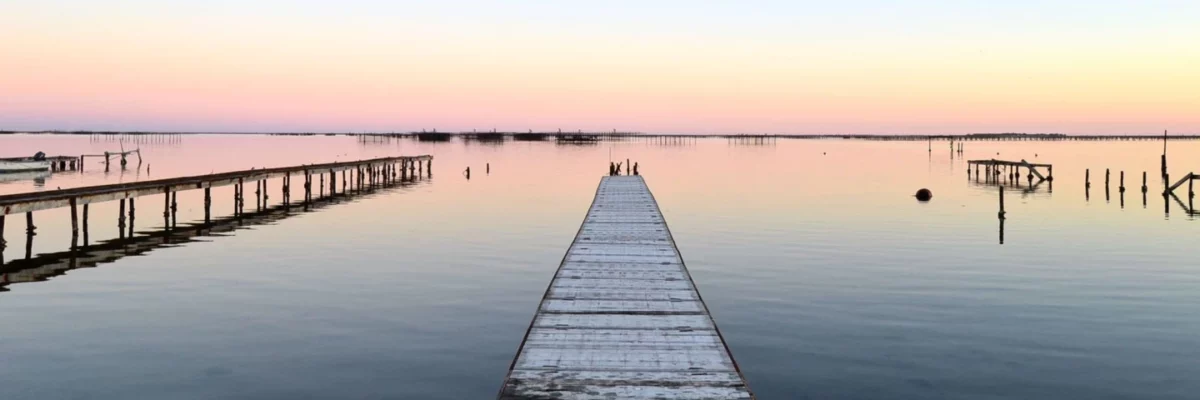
(580, 135)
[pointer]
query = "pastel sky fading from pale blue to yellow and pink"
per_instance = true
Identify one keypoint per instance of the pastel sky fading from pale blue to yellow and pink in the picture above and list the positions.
(653, 67)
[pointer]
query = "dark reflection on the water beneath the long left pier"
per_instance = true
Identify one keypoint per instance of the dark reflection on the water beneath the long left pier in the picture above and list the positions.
(47, 266)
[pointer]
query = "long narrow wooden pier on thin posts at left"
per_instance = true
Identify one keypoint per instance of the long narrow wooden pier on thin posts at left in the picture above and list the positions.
(355, 176)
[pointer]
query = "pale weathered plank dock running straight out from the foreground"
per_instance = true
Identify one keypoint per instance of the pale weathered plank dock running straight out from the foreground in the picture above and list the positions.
(622, 319)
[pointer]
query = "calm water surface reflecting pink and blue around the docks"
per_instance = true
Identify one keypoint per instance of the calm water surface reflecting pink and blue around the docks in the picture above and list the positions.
(826, 277)
